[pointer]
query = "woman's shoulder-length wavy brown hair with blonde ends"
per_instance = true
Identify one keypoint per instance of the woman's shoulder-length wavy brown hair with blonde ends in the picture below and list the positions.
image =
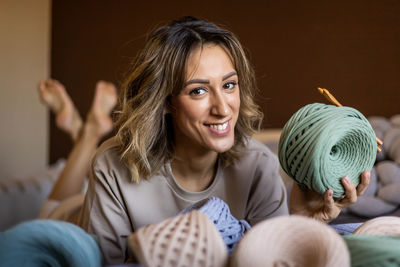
(144, 131)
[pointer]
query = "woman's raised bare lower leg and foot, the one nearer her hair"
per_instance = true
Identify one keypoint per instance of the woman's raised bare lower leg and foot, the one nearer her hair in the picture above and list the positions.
(98, 124)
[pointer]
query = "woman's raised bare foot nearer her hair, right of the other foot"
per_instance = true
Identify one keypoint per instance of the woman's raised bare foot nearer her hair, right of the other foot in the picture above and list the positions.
(98, 120)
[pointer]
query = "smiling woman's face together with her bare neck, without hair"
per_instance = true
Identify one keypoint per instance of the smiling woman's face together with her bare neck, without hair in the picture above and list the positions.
(204, 115)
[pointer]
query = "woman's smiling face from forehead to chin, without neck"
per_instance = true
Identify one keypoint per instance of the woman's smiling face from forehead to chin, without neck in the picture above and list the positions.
(206, 110)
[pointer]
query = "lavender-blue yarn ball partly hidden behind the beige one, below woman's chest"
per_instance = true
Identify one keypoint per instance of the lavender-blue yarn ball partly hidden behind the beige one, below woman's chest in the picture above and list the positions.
(228, 226)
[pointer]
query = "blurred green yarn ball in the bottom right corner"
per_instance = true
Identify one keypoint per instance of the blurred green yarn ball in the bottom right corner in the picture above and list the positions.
(372, 250)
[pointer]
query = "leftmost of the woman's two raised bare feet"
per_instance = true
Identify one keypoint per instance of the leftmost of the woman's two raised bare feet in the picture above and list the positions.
(53, 94)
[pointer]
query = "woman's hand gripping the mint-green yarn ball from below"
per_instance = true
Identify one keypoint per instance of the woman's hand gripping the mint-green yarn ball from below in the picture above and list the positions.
(324, 207)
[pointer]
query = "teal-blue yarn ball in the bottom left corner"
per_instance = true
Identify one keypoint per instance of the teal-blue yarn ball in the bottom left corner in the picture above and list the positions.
(48, 243)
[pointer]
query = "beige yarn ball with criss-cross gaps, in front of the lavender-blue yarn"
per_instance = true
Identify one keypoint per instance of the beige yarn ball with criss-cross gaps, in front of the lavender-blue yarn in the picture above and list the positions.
(185, 240)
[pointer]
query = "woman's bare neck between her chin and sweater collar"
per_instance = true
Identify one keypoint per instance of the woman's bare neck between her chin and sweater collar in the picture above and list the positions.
(194, 171)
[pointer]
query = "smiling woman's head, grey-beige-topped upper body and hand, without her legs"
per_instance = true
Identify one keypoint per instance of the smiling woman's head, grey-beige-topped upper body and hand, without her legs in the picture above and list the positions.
(186, 117)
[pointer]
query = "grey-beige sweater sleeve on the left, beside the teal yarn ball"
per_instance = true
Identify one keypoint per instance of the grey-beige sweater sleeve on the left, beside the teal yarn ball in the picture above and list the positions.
(103, 213)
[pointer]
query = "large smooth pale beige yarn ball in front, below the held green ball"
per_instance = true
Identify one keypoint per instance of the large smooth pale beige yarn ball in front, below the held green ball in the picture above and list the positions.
(291, 241)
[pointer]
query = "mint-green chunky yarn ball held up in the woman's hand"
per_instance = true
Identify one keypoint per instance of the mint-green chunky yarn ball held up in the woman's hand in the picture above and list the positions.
(322, 143)
